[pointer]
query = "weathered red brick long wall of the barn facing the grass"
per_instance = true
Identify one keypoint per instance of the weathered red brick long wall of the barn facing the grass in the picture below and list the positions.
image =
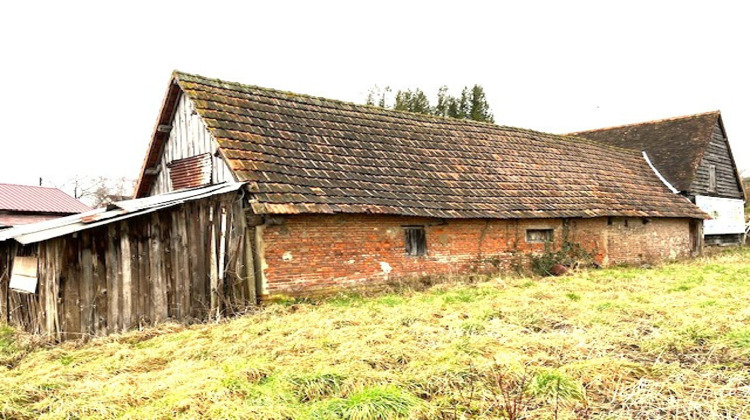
(307, 254)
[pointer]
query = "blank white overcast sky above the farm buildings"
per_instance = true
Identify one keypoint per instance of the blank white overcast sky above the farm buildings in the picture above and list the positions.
(82, 82)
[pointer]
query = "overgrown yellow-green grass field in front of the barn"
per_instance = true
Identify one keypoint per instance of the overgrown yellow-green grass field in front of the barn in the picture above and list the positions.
(672, 341)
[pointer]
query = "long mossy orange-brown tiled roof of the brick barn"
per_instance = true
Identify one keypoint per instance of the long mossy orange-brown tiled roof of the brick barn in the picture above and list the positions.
(304, 154)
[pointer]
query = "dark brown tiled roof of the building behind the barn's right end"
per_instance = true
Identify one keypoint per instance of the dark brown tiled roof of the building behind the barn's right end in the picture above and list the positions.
(674, 145)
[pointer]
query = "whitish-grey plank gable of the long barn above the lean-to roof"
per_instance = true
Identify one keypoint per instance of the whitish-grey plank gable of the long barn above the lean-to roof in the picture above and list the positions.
(188, 137)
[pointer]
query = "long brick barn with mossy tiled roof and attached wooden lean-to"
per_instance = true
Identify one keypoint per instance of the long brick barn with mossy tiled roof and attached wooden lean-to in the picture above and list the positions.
(248, 194)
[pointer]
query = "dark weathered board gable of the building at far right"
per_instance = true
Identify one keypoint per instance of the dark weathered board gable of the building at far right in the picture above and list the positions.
(717, 153)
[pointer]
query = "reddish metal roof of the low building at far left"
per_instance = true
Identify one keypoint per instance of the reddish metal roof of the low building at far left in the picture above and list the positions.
(31, 198)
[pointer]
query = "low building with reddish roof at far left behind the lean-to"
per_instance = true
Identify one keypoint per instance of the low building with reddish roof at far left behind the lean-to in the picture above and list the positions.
(23, 204)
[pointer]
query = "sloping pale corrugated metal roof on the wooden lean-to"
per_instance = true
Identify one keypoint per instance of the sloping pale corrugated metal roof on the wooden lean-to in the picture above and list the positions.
(120, 210)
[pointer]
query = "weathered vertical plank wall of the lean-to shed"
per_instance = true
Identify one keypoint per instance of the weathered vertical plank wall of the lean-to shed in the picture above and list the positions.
(137, 272)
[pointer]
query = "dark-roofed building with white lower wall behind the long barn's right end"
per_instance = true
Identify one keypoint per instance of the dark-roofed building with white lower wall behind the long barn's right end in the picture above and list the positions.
(692, 153)
